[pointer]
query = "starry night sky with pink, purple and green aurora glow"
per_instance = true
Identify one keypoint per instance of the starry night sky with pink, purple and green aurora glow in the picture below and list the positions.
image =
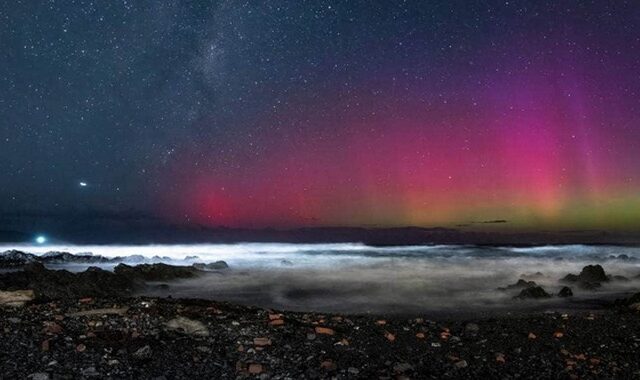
(315, 113)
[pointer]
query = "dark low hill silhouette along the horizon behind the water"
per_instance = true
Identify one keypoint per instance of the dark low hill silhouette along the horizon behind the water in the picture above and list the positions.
(159, 233)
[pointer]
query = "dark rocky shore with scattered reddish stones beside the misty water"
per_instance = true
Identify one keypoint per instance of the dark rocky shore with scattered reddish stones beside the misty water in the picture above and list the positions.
(57, 324)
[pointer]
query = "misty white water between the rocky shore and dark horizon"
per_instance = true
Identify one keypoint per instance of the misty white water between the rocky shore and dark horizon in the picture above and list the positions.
(359, 278)
